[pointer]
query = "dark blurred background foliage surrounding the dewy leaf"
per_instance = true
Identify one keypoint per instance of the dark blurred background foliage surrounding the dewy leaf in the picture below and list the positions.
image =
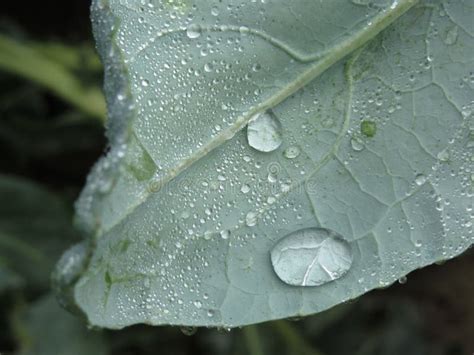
(51, 132)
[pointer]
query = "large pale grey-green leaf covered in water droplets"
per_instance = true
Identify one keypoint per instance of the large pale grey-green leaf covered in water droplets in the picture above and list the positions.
(188, 204)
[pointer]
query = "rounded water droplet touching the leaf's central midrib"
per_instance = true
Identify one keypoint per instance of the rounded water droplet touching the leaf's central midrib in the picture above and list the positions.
(264, 132)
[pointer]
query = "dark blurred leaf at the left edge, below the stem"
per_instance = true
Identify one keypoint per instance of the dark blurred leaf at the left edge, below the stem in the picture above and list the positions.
(35, 227)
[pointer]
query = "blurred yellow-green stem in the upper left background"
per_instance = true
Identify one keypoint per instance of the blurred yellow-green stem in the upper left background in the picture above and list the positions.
(23, 60)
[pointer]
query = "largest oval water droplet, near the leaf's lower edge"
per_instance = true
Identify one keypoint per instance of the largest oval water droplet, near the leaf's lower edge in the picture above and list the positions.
(311, 257)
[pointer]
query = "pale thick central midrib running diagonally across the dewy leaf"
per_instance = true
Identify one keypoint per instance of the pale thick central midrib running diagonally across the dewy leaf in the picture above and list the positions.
(338, 52)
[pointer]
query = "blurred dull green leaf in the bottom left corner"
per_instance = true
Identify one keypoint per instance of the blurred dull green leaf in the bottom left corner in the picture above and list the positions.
(46, 329)
